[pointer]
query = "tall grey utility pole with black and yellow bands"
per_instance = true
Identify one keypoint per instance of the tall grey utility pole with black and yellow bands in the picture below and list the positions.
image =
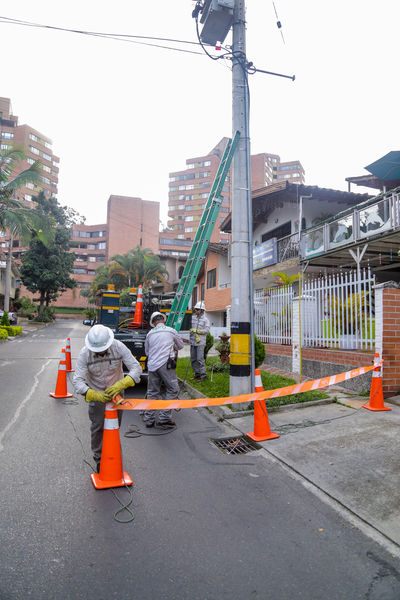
(242, 331)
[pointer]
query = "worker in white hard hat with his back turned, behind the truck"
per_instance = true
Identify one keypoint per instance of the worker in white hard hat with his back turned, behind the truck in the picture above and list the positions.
(161, 348)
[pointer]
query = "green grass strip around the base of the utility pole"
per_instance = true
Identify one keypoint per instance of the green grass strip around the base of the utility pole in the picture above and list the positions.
(217, 384)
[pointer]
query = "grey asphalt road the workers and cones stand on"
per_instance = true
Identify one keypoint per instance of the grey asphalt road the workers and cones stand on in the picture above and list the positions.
(206, 525)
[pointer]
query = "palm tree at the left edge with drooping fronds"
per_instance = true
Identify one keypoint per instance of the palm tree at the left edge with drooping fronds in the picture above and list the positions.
(14, 217)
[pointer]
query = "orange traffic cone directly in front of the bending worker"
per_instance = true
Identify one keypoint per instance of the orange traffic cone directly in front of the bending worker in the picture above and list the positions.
(111, 473)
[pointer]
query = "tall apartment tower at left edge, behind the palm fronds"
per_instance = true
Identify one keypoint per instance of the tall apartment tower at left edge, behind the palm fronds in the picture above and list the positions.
(35, 145)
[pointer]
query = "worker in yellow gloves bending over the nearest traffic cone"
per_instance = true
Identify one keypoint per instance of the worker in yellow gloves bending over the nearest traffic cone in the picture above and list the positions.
(99, 377)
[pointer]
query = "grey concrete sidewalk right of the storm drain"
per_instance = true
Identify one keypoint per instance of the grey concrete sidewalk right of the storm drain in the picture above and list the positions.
(347, 455)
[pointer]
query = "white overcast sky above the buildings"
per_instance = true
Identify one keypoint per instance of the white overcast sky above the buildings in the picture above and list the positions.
(122, 115)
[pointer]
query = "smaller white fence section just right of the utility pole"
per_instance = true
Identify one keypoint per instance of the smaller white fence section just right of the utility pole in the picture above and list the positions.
(273, 315)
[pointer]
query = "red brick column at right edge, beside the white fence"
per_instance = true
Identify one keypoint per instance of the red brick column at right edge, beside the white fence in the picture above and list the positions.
(391, 341)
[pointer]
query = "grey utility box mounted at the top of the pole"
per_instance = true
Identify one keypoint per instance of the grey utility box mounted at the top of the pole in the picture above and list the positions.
(217, 16)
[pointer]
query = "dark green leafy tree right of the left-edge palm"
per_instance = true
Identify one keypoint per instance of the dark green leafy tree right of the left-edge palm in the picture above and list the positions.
(46, 269)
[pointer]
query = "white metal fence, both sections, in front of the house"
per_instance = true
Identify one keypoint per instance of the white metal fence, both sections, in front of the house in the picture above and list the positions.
(337, 311)
